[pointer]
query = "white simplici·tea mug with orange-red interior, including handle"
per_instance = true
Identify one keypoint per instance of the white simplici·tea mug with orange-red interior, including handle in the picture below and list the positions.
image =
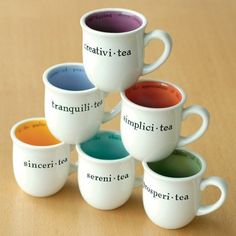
(151, 117)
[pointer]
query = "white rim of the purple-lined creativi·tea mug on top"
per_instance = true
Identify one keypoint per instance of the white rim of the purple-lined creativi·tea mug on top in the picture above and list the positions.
(87, 14)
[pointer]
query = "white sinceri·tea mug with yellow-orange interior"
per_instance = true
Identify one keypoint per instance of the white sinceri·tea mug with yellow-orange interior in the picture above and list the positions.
(41, 163)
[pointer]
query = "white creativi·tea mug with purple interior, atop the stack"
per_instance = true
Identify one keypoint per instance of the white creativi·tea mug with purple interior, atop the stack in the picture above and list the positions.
(113, 47)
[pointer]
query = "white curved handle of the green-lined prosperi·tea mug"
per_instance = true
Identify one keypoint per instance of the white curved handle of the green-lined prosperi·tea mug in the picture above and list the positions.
(219, 183)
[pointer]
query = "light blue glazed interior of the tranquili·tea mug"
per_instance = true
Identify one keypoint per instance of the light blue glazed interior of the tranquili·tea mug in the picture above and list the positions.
(69, 77)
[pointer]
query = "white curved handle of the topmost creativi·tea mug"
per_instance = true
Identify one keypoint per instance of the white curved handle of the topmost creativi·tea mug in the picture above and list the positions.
(166, 39)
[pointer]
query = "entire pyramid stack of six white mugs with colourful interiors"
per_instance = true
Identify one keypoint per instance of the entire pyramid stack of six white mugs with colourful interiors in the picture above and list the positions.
(150, 125)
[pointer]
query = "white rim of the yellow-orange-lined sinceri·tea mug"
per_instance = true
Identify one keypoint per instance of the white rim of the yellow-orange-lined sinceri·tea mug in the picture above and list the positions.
(30, 146)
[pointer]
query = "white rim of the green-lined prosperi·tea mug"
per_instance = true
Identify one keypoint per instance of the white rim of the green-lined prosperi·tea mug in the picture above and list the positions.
(155, 175)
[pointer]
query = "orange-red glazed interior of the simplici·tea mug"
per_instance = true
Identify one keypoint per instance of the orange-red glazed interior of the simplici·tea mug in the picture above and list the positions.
(154, 94)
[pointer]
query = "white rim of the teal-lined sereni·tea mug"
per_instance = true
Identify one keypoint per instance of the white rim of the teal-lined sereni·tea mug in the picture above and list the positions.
(97, 160)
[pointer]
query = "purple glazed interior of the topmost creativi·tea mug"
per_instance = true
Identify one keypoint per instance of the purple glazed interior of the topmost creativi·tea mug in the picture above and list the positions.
(113, 21)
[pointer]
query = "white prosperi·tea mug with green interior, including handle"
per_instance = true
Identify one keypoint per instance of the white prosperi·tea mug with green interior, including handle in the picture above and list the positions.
(172, 189)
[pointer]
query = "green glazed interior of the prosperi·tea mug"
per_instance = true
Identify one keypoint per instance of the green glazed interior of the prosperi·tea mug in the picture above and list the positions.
(179, 164)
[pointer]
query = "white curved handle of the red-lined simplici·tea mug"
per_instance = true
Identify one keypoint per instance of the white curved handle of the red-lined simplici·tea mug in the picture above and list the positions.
(204, 114)
